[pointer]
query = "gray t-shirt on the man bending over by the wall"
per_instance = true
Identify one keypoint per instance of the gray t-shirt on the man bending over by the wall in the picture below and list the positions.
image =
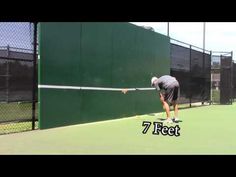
(165, 82)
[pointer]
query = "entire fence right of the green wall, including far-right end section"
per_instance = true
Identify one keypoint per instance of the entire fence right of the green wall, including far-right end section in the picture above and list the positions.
(204, 76)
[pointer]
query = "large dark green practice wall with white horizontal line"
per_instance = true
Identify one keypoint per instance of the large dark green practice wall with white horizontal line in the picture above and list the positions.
(114, 55)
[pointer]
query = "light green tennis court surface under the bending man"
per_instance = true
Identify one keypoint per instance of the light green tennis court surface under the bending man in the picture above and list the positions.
(203, 130)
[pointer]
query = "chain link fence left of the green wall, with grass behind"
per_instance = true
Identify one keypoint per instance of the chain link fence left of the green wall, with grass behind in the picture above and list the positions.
(18, 78)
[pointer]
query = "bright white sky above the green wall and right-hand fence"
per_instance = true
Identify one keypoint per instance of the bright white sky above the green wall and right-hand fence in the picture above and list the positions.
(219, 36)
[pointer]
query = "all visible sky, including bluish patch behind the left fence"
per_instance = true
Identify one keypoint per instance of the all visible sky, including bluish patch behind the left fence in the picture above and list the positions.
(219, 36)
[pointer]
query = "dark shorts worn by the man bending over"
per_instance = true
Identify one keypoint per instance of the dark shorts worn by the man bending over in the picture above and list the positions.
(172, 94)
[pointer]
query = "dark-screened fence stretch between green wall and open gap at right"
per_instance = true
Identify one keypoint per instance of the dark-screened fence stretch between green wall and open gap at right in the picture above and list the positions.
(192, 68)
